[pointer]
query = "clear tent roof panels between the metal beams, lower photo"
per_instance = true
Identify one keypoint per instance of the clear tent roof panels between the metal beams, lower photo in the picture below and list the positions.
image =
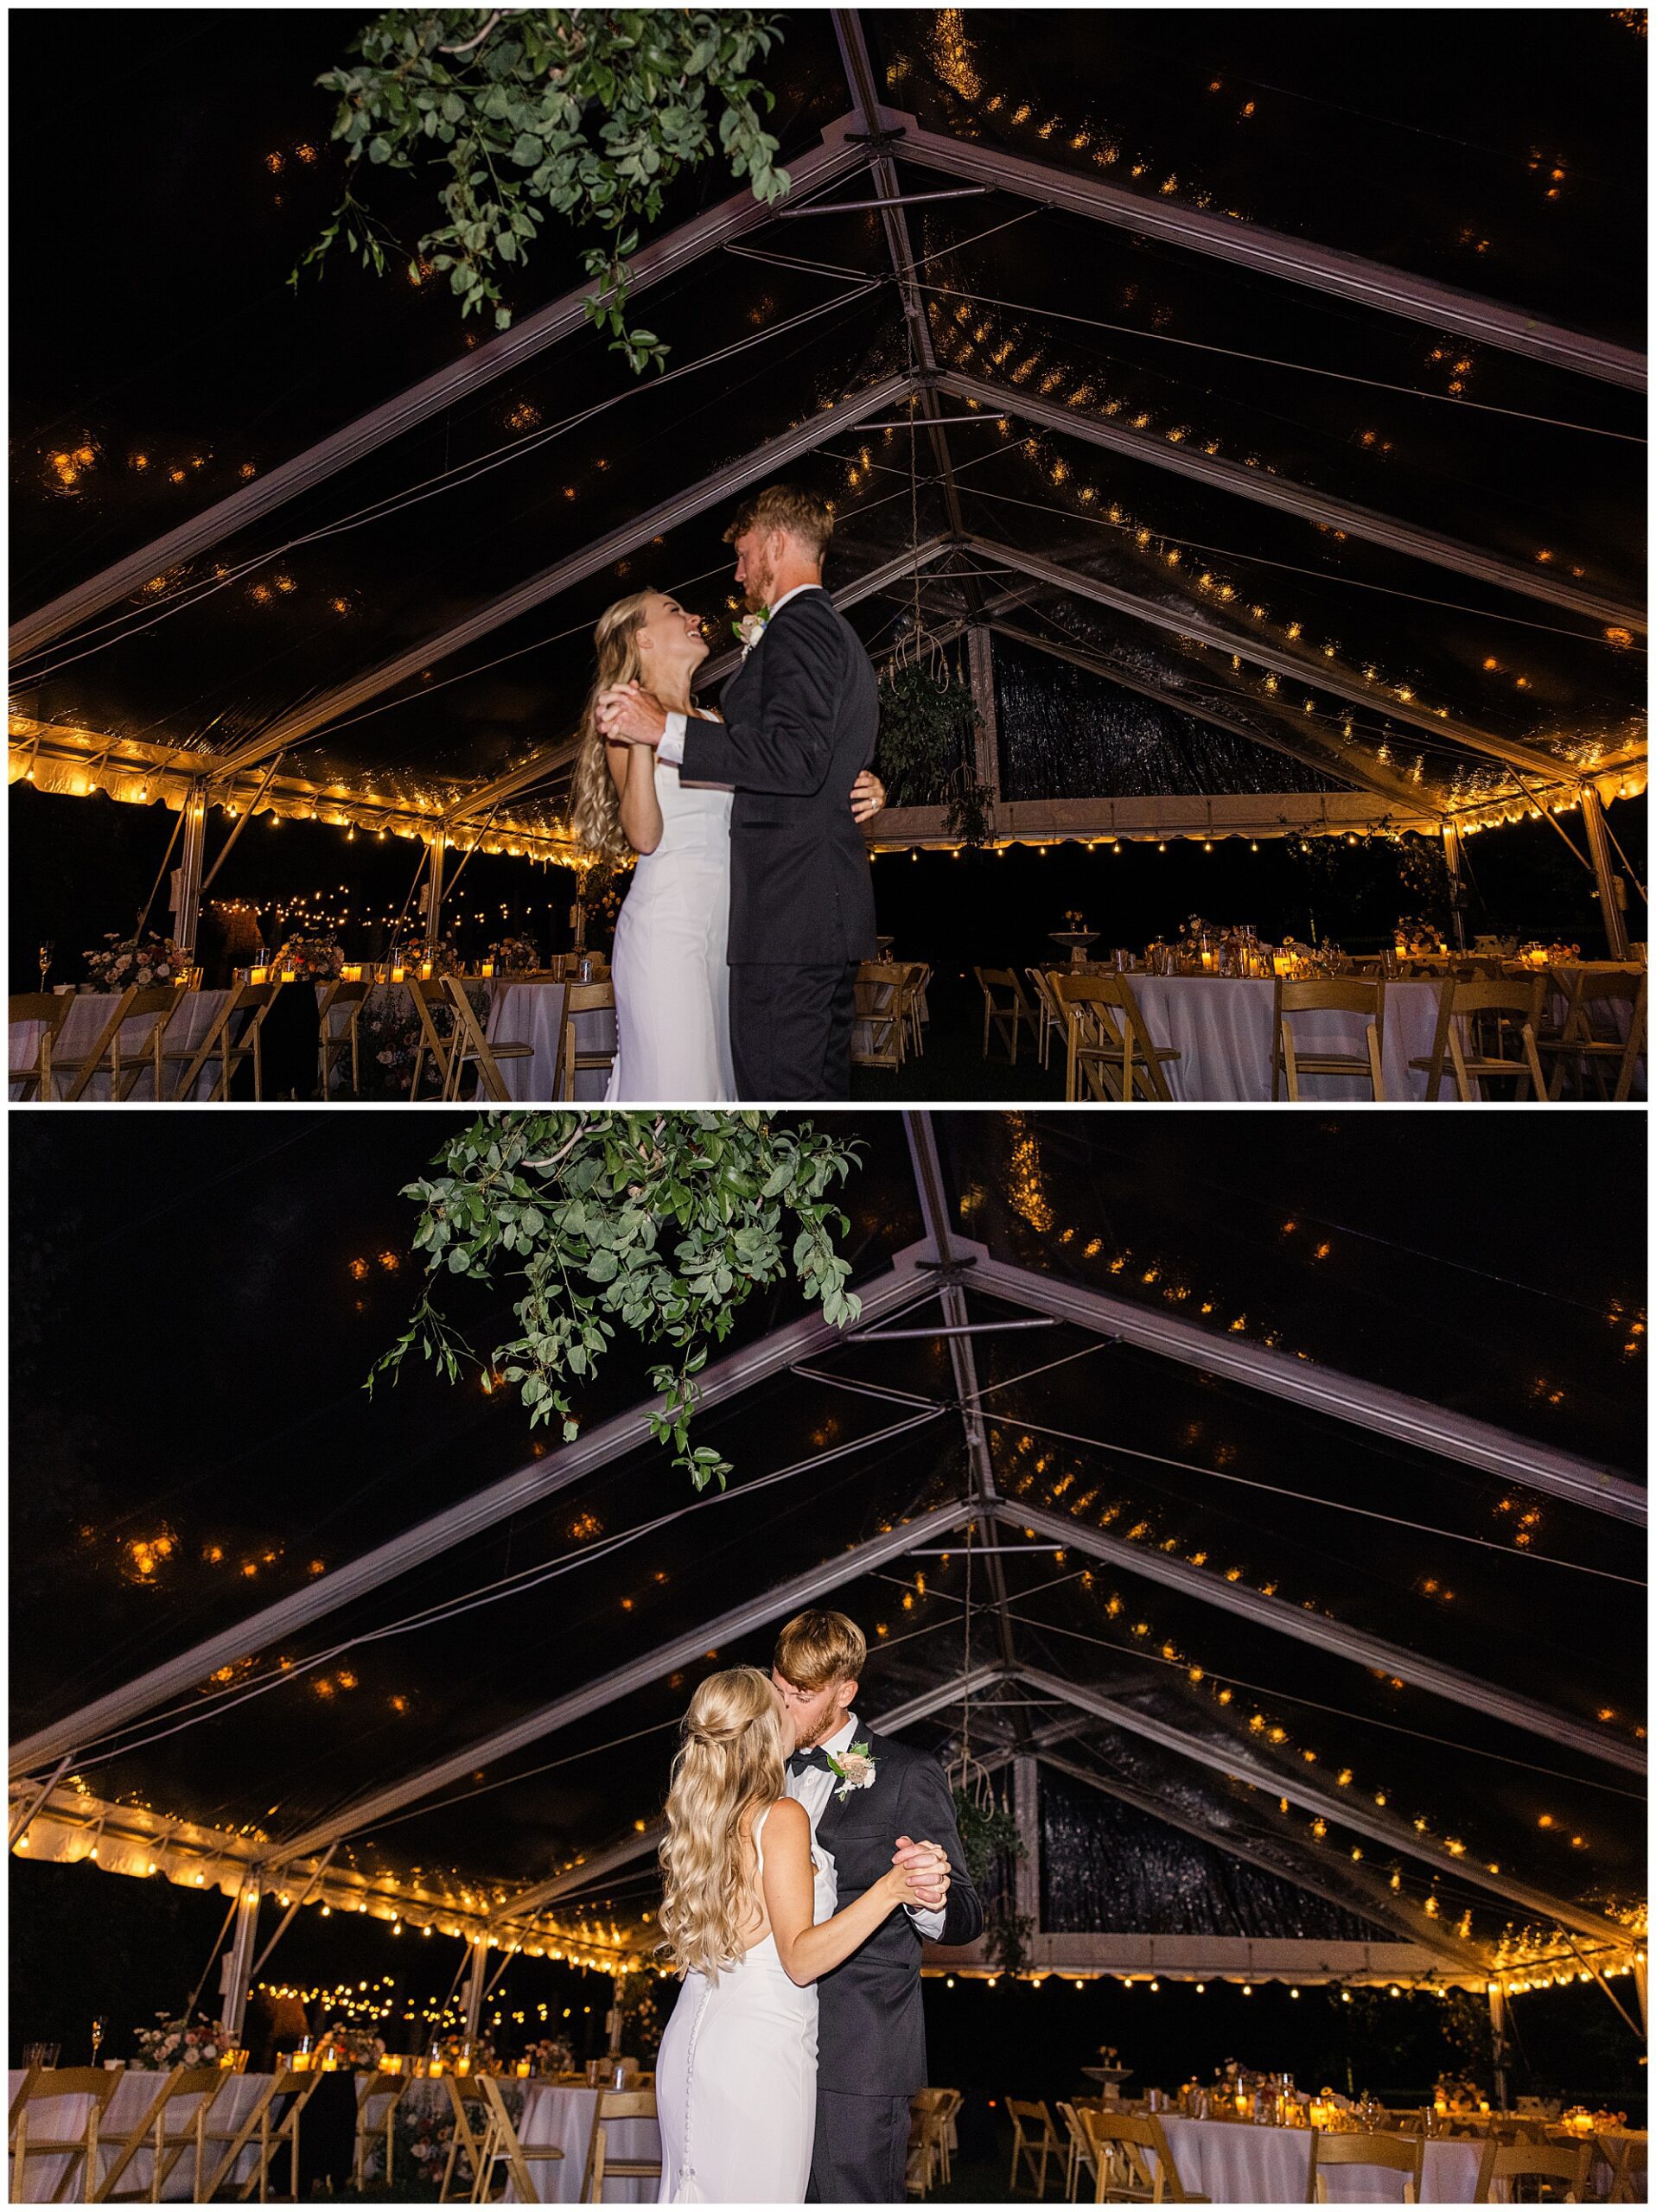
(271, 1465)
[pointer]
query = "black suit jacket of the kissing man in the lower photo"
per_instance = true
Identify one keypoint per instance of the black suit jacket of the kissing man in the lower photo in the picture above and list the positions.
(871, 2030)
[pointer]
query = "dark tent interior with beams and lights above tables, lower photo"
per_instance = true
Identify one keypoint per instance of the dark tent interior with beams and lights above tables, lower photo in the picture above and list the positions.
(1274, 1530)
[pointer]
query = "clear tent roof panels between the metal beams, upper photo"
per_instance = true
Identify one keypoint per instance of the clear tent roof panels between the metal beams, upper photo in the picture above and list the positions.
(1245, 116)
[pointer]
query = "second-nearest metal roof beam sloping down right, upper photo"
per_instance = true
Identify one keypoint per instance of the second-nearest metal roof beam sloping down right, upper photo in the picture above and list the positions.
(1292, 499)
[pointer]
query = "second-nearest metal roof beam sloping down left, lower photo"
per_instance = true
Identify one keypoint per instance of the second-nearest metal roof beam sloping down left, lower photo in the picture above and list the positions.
(623, 1682)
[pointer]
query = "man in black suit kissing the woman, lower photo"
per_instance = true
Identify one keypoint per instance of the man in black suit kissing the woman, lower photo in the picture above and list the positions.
(865, 1795)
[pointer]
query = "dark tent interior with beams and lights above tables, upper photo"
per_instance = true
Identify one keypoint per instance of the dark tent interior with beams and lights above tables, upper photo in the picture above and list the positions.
(1250, 397)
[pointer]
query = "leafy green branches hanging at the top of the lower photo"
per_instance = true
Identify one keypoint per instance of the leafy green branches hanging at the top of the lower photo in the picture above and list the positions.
(661, 1224)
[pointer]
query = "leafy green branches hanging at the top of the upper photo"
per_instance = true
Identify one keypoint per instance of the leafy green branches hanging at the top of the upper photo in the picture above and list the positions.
(586, 114)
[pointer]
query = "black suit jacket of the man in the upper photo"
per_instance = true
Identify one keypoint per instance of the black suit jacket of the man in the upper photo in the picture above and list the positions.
(800, 724)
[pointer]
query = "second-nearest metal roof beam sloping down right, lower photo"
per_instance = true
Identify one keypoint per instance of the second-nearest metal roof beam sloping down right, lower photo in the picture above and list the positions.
(1338, 1638)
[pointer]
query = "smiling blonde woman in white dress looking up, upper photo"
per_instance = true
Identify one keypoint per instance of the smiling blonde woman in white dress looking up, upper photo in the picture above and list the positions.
(672, 983)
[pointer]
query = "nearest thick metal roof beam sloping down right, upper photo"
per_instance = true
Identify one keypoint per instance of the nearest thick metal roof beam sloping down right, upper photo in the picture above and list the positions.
(1270, 253)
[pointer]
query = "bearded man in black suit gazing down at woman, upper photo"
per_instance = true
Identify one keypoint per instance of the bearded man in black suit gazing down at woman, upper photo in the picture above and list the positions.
(800, 722)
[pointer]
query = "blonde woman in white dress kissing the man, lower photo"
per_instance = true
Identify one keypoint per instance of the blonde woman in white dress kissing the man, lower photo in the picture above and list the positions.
(749, 1921)
